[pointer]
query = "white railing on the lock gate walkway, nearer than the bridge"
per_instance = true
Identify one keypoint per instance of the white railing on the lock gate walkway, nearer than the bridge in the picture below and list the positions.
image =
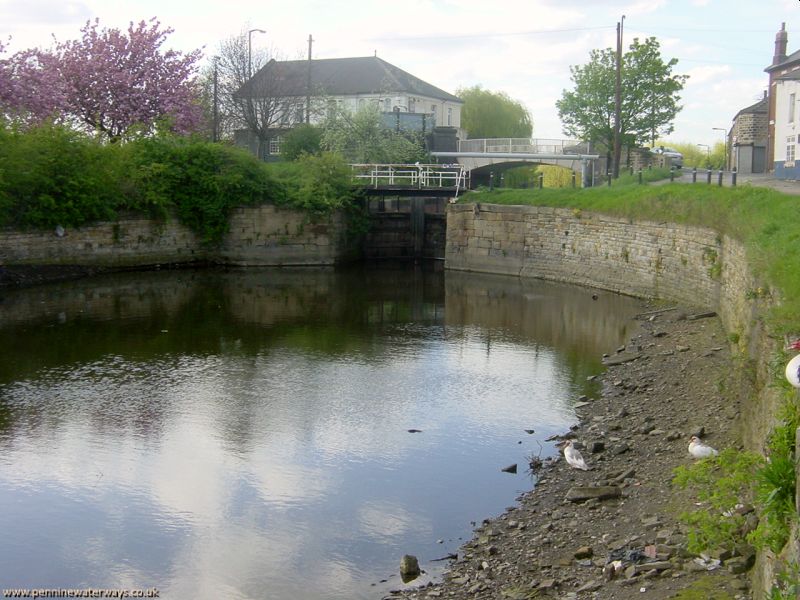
(411, 176)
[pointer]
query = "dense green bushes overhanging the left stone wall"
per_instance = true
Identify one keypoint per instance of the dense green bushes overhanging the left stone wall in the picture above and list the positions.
(54, 176)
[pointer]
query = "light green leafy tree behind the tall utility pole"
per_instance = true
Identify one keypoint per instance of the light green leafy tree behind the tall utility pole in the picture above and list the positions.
(650, 96)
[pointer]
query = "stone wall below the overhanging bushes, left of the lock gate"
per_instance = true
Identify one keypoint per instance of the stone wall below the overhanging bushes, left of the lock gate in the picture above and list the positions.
(263, 235)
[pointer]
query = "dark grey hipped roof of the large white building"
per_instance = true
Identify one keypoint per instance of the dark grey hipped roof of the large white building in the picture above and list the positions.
(343, 77)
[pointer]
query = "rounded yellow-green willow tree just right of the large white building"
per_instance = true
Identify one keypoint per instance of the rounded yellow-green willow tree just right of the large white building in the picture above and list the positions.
(488, 114)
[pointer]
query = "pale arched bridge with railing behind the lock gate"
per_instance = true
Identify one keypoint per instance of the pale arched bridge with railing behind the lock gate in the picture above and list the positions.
(481, 153)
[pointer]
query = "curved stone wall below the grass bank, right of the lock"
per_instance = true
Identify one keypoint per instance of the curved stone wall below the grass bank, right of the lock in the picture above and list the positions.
(692, 265)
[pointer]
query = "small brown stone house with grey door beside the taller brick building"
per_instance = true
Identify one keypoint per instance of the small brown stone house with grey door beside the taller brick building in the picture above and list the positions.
(747, 138)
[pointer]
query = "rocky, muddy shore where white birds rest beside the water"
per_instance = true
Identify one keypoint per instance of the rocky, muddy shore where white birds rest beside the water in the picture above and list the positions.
(674, 379)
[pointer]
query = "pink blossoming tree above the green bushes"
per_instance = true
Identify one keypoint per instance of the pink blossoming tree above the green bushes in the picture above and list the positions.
(110, 82)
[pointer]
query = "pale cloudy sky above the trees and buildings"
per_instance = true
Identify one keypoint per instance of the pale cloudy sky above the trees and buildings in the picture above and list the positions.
(521, 47)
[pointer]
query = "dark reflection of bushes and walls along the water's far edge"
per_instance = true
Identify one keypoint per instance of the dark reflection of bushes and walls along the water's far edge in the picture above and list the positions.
(145, 320)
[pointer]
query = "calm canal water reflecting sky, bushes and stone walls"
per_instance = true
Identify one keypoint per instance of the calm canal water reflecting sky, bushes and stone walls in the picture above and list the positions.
(275, 433)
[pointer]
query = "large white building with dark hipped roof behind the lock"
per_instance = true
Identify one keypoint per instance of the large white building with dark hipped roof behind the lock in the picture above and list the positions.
(347, 83)
